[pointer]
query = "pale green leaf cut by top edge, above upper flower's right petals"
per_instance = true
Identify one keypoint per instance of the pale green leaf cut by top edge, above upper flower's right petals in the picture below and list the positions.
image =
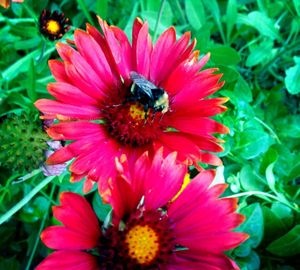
(195, 13)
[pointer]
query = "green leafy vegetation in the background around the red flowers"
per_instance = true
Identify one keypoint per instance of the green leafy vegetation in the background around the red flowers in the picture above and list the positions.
(255, 43)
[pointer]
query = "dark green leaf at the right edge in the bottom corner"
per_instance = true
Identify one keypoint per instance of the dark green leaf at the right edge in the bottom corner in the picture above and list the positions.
(287, 245)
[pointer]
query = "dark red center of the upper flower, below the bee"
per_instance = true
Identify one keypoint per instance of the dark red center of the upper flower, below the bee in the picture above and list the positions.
(130, 124)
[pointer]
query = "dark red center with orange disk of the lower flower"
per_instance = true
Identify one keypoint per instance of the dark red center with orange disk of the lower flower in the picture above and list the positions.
(146, 242)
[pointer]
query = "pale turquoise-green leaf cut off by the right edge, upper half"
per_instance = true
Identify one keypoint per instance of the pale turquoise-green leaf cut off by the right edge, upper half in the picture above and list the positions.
(292, 79)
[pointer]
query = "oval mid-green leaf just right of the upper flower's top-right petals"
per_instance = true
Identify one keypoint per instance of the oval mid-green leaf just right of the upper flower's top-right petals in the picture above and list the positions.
(224, 55)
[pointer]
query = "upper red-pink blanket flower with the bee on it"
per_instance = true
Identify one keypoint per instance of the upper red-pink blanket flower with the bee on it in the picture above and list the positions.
(114, 97)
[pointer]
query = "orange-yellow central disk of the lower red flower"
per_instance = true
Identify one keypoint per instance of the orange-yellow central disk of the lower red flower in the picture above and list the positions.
(143, 243)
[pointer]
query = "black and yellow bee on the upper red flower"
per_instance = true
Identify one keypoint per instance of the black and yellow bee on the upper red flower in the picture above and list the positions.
(148, 94)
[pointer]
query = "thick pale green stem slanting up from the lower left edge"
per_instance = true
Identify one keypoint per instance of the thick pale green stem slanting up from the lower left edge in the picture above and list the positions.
(25, 200)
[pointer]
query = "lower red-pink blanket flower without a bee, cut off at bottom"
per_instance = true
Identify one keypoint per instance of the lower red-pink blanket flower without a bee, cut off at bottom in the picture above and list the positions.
(149, 229)
